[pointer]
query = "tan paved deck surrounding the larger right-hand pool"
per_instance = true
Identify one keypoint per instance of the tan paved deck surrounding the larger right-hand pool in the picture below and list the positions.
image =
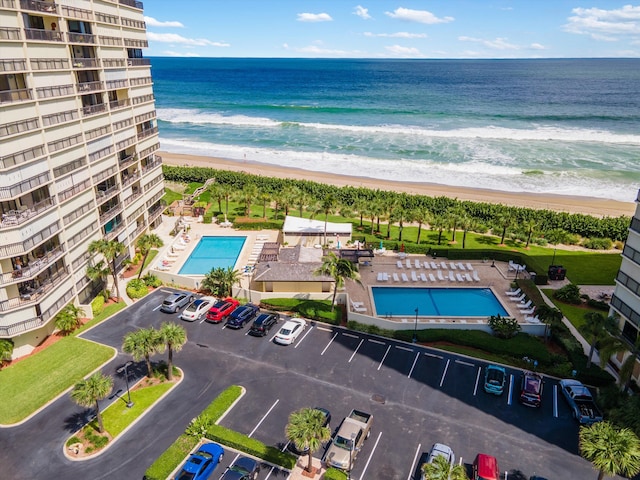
(495, 276)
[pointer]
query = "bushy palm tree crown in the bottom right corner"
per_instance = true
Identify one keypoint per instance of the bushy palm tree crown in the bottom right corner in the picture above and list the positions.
(611, 450)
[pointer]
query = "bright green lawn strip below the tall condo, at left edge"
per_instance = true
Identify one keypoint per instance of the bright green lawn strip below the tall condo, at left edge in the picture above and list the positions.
(34, 381)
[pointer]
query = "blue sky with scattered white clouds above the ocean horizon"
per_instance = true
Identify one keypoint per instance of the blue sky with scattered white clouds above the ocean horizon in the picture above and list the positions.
(393, 29)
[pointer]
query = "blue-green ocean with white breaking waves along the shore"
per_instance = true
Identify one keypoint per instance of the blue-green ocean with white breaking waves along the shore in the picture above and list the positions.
(549, 126)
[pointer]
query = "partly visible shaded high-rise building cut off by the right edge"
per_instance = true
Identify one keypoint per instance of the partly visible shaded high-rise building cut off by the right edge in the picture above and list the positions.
(626, 296)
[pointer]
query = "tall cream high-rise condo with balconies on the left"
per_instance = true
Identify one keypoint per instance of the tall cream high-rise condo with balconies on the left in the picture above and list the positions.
(78, 137)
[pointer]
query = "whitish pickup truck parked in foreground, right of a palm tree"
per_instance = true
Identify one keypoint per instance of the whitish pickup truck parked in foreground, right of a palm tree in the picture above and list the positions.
(348, 441)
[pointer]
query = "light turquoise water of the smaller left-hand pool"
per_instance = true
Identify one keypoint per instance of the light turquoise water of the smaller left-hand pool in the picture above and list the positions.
(213, 252)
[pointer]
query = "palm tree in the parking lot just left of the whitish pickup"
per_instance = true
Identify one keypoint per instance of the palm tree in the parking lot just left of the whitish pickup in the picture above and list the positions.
(307, 431)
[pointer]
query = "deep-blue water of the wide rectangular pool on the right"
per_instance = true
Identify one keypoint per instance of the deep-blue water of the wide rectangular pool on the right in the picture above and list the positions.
(436, 302)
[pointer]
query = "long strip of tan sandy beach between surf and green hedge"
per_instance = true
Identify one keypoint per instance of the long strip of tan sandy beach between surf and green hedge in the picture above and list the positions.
(563, 203)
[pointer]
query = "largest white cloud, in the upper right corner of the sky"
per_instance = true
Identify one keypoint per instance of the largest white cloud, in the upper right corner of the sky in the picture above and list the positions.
(605, 25)
